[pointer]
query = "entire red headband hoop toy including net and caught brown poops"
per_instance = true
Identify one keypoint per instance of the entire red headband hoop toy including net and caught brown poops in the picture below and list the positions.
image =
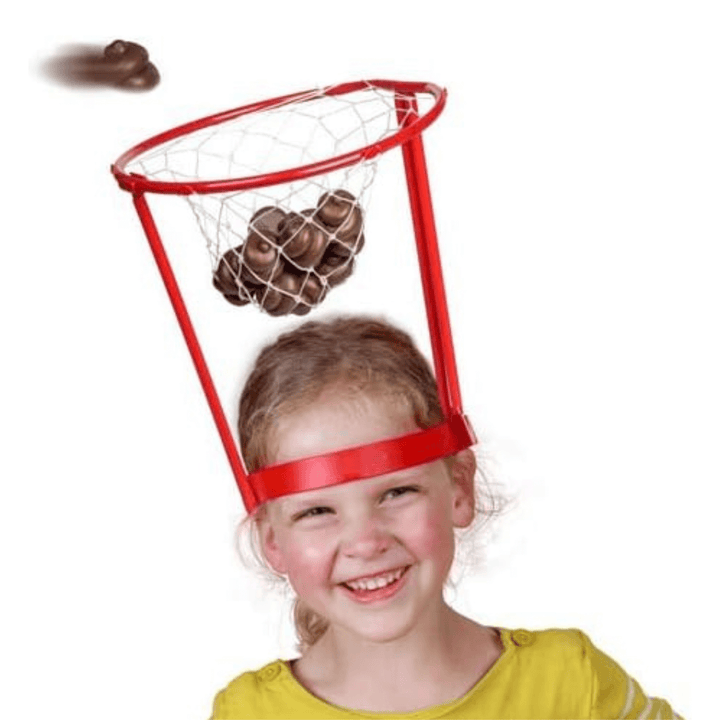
(246, 173)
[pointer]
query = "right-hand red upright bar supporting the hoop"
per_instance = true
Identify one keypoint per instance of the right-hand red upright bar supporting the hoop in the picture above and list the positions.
(429, 258)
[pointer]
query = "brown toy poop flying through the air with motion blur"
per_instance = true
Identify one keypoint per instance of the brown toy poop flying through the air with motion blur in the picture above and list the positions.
(122, 64)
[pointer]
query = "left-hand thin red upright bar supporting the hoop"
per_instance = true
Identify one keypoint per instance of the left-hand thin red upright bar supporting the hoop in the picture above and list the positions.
(188, 331)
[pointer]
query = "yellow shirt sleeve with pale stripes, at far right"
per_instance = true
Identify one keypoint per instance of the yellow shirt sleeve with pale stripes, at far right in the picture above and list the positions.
(617, 696)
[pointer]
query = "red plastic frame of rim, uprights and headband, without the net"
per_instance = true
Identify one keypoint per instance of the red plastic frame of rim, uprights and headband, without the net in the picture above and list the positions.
(377, 458)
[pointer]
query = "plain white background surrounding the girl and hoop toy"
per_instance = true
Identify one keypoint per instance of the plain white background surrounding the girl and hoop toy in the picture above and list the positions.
(575, 178)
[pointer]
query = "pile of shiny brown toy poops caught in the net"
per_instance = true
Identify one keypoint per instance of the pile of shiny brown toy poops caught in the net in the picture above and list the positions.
(289, 261)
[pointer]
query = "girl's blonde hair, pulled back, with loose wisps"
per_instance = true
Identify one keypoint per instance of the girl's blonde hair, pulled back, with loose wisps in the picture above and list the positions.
(349, 353)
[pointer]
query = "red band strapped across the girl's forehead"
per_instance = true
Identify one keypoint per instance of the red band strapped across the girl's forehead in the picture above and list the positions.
(364, 461)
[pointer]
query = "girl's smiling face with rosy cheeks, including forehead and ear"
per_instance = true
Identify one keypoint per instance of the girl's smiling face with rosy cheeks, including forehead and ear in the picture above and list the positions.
(370, 556)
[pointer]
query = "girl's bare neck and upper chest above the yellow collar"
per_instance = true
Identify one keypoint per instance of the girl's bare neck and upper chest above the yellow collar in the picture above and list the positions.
(440, 660)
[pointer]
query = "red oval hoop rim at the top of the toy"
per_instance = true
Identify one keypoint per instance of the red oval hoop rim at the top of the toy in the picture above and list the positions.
(135, 183)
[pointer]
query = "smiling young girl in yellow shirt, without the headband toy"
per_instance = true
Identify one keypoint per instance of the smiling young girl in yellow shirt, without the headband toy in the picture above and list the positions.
(368, 559)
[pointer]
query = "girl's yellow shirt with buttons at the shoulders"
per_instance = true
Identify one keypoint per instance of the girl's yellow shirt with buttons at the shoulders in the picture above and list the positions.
(546, 674)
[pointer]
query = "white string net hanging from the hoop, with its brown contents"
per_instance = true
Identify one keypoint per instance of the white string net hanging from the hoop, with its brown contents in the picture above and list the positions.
(281, 247)
